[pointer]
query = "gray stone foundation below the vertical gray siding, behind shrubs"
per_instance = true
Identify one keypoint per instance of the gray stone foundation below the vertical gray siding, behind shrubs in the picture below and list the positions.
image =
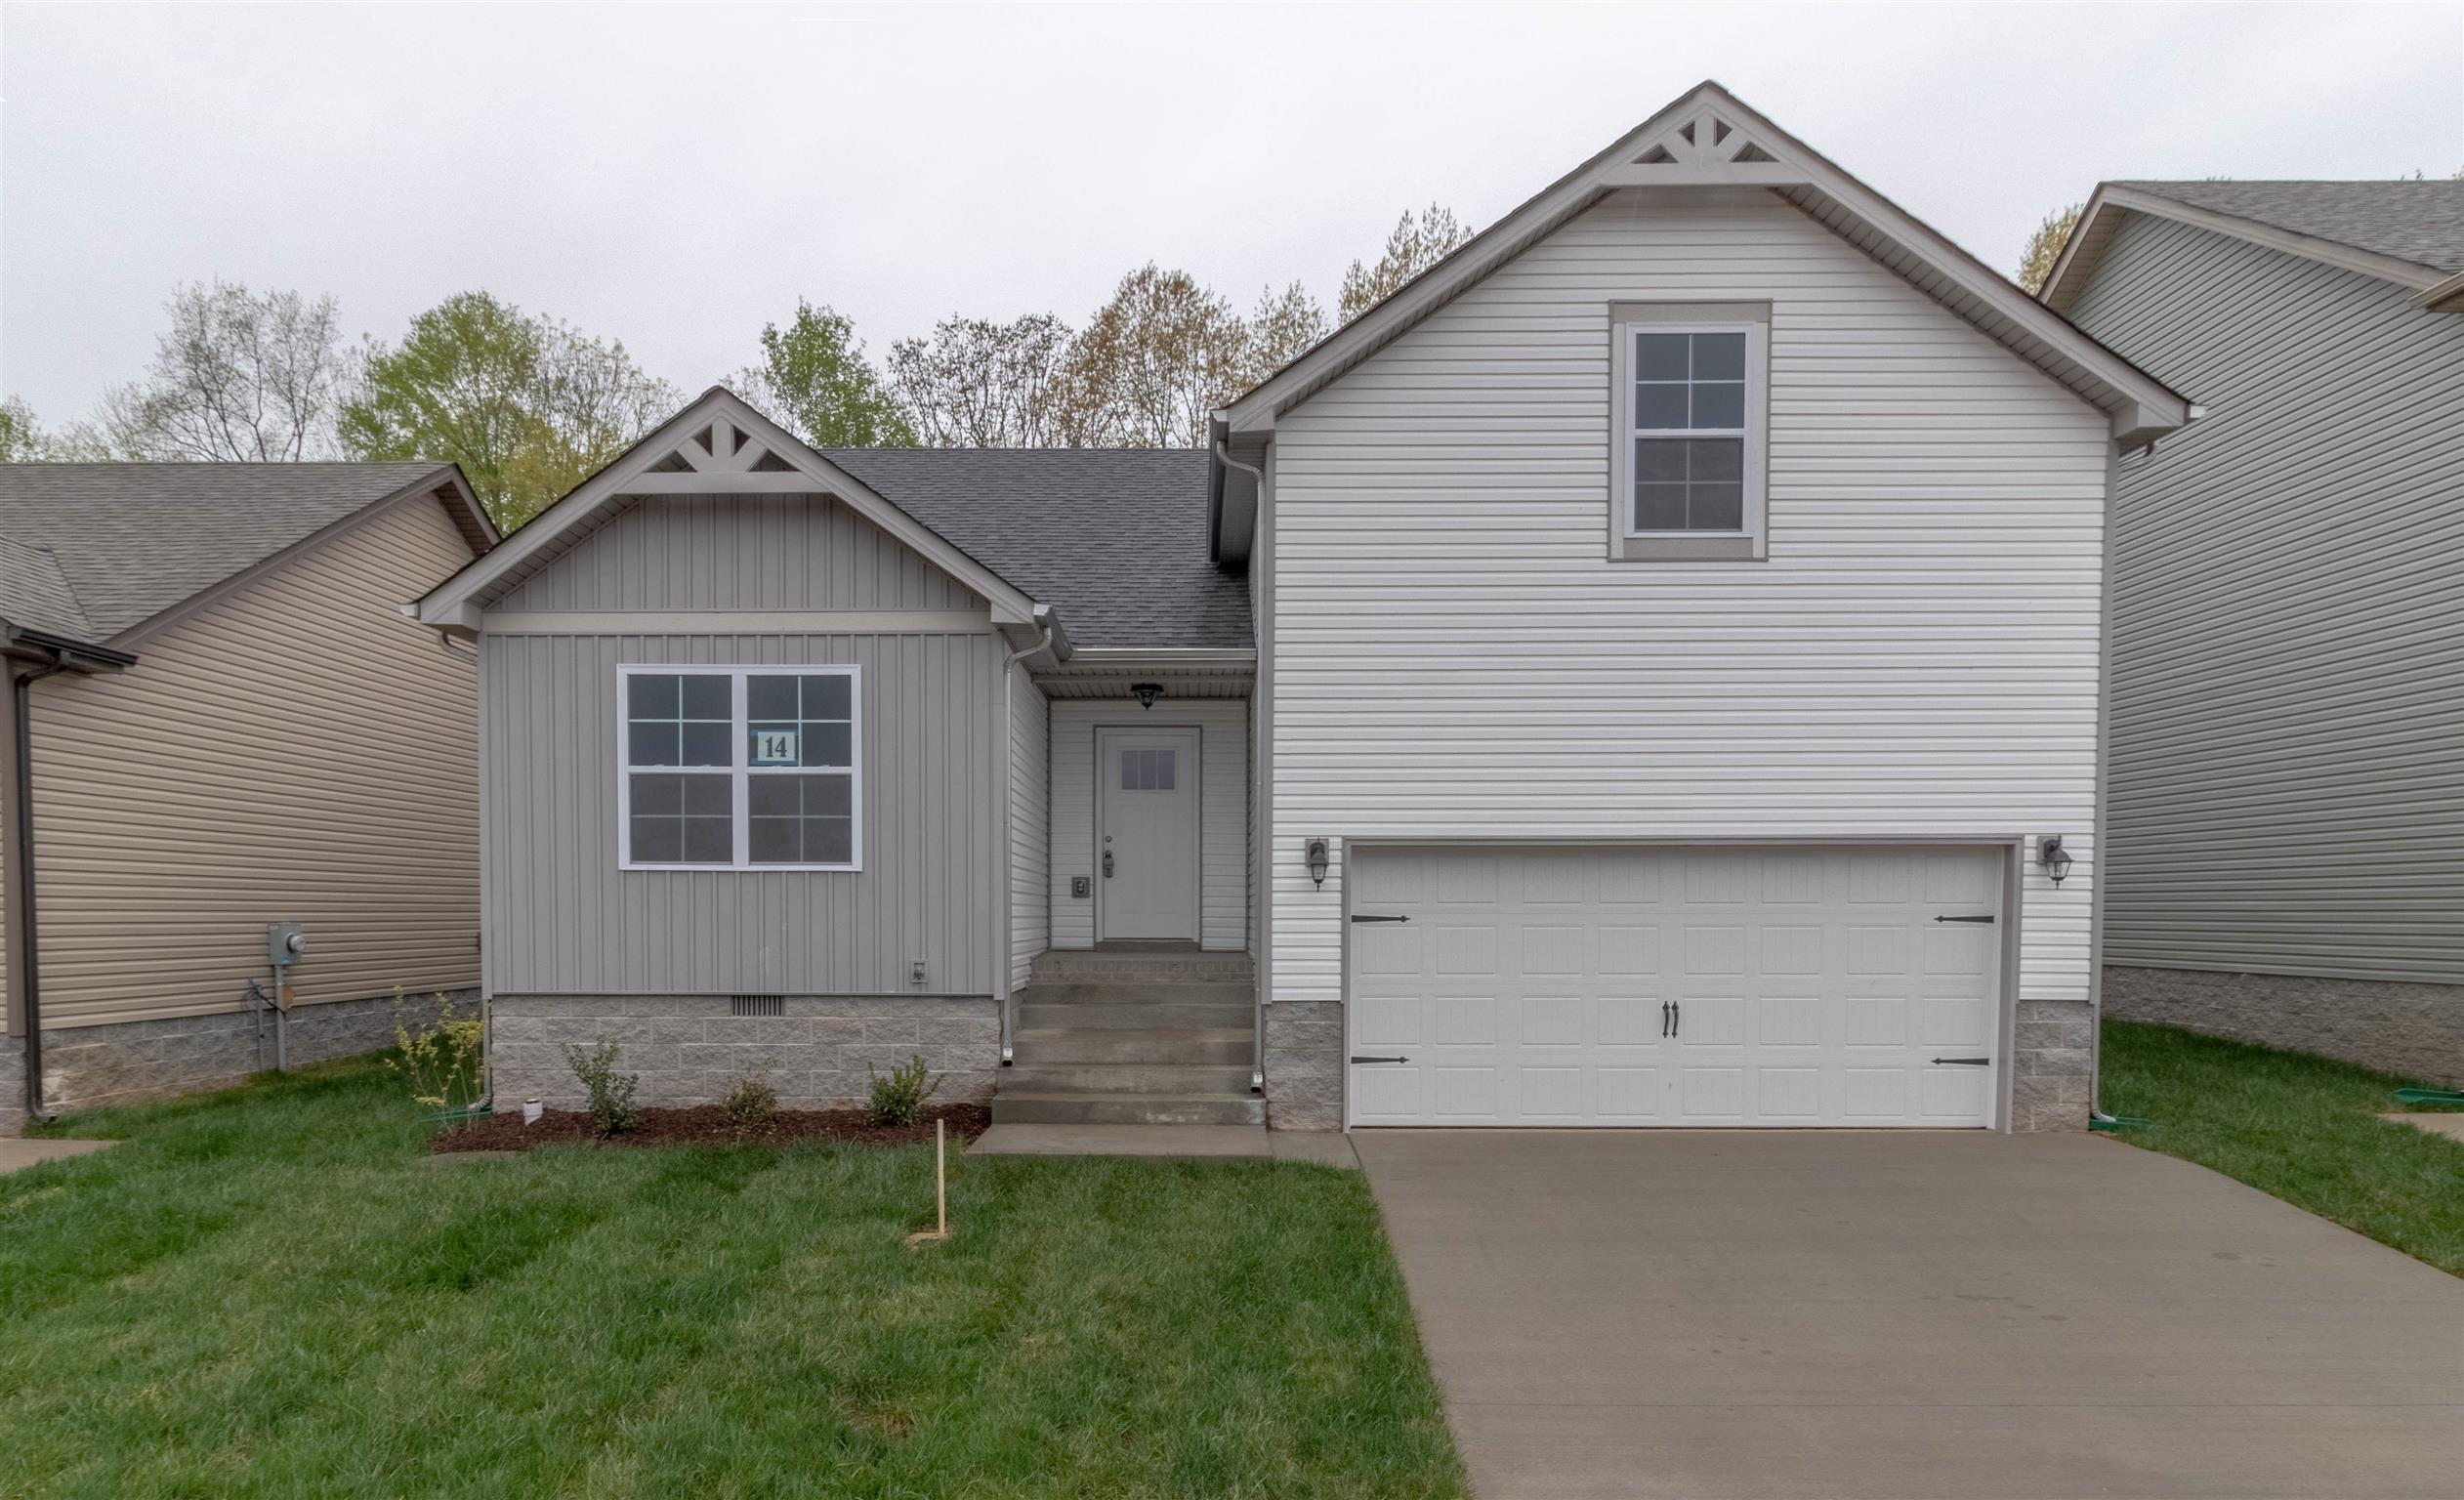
(691, 1050)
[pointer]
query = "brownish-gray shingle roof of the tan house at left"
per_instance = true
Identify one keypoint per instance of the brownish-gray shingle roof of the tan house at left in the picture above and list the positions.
(129, 541)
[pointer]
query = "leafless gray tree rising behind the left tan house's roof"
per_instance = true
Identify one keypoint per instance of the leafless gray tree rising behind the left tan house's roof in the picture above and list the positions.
(240, 378)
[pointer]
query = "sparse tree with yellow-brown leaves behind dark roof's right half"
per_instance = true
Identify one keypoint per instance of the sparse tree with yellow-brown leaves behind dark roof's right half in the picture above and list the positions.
(1154, 363)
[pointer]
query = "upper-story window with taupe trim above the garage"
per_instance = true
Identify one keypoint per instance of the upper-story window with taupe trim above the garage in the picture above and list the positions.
(1689, 467)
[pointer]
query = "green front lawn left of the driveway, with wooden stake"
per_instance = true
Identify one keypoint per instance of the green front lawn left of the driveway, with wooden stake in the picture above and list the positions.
(267, 1294)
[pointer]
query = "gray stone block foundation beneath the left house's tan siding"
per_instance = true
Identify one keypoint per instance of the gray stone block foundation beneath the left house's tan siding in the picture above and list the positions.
(122, 1063)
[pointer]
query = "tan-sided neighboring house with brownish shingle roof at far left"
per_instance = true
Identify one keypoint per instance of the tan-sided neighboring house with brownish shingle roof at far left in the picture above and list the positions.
(223, 723)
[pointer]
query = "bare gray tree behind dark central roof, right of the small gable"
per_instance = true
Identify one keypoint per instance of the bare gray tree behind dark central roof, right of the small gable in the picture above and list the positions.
(984, 385)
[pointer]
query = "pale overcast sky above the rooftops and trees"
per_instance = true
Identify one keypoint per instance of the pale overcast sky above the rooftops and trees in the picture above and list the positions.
(679, 176)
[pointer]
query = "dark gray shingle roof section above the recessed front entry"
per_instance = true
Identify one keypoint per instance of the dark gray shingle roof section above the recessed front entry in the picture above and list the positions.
(1110, 538)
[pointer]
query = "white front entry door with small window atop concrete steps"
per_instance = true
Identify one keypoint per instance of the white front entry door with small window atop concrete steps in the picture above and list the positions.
(1147, 834)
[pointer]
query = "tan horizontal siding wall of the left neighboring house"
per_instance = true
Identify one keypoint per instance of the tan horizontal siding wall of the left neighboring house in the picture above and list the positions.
(287, 752)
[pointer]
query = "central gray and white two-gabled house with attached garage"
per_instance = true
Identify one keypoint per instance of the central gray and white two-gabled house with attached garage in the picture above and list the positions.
(1642, 674)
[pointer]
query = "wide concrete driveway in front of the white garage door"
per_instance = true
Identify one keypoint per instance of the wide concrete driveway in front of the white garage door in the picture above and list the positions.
(1955, 1317)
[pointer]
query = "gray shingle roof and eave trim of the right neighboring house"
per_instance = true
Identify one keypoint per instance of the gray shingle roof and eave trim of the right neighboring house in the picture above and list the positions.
(2404, 233)
